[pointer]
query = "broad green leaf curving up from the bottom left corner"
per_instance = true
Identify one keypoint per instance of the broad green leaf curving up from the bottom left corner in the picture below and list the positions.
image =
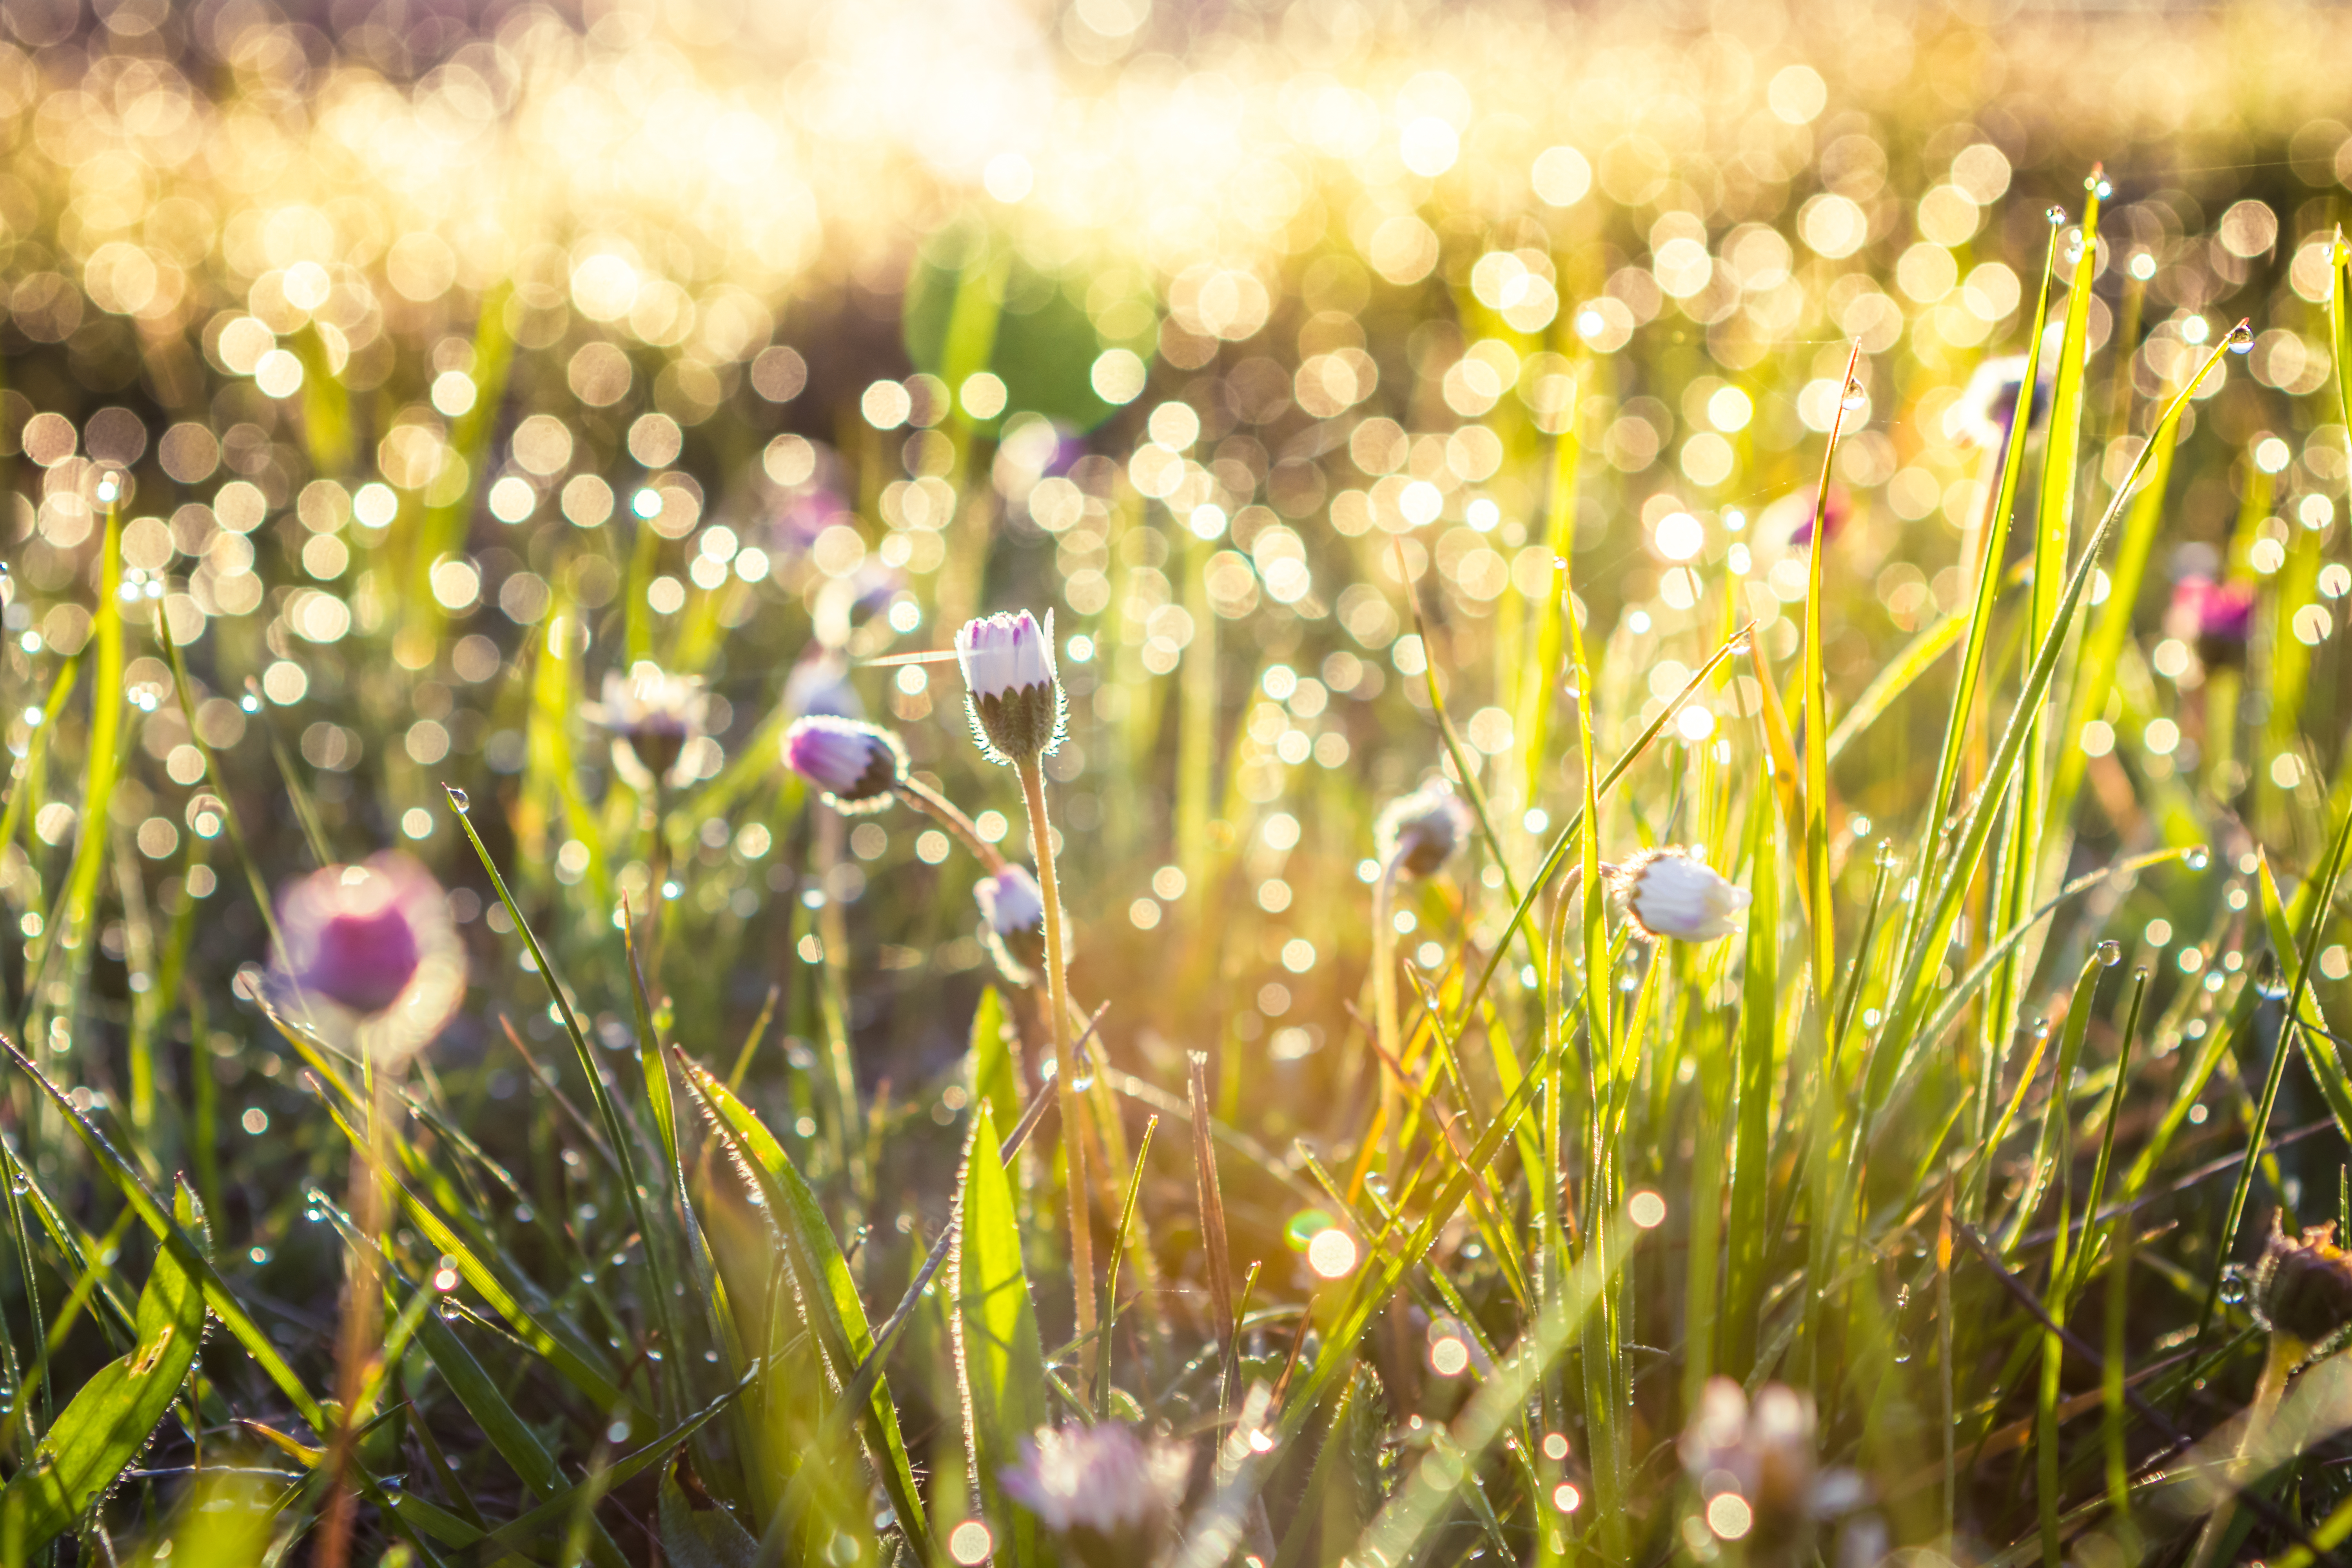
(109, 1421)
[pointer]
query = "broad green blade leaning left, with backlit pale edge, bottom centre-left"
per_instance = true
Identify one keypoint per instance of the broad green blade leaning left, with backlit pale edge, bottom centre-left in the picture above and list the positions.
(827, 1292)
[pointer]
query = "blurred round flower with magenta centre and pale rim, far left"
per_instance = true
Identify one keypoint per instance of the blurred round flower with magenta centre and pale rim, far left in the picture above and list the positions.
(370, 956)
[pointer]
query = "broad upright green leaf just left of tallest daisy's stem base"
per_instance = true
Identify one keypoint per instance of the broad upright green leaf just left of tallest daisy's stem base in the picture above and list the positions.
(998, 1358)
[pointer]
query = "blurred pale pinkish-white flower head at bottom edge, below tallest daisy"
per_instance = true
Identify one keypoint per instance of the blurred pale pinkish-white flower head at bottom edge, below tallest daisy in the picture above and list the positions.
(1104, 1489)
